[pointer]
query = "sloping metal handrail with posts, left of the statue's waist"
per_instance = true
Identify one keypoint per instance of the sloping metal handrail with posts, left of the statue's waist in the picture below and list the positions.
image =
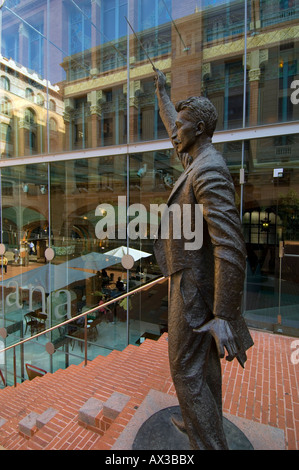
(82, 315)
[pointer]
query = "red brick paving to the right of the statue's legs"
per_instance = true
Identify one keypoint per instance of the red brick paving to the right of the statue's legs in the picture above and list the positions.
(266, 390)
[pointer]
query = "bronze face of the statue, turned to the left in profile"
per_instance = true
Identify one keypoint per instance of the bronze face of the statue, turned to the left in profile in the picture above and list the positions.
(186, 132)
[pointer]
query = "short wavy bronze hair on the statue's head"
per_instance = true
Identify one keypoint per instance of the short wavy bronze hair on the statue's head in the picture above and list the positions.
(201, 109)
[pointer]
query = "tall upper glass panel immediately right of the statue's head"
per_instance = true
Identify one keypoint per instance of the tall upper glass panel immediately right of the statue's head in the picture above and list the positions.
(222, 70)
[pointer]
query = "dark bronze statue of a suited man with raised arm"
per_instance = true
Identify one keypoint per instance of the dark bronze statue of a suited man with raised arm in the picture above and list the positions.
(206, 285)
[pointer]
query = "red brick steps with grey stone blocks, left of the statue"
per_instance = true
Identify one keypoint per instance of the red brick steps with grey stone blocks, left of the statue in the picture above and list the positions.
(83, 408)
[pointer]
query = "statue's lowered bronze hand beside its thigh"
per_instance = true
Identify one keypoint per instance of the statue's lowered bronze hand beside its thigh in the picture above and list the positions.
(224, 336)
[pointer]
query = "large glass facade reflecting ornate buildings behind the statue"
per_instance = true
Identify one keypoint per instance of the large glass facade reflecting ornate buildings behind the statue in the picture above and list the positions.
(81, 136)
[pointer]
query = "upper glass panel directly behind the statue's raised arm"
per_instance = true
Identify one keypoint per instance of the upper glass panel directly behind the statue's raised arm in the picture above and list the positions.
(163, 39)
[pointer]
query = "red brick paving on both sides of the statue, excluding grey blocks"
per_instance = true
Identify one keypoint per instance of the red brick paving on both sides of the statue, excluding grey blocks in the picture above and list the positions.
(266, 391)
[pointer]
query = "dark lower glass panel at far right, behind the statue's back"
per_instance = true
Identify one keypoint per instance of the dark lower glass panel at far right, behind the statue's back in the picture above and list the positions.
(269, 218)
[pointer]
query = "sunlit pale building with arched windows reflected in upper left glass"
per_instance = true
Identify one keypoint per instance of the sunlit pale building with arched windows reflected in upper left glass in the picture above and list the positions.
(31, 112)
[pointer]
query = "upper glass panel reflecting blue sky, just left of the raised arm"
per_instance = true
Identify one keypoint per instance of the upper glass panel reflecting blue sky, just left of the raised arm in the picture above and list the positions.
(91, 106)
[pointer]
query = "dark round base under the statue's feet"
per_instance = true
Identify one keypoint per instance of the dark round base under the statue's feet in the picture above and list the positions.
(159, 433)
